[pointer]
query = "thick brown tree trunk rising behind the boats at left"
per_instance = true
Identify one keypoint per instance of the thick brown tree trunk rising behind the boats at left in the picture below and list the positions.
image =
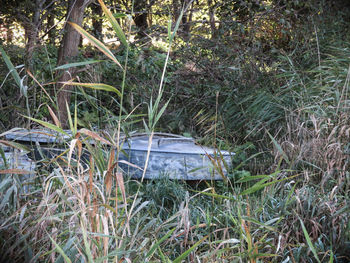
(67, 51)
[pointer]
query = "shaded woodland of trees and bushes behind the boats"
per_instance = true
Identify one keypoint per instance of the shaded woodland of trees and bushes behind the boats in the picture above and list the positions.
(239, 68)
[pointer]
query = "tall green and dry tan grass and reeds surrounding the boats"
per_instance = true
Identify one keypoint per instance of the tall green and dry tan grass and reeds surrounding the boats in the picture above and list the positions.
(85, 210)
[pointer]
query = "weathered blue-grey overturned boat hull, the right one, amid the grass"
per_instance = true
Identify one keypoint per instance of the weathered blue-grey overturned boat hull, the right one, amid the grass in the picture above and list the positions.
(173, 156)
